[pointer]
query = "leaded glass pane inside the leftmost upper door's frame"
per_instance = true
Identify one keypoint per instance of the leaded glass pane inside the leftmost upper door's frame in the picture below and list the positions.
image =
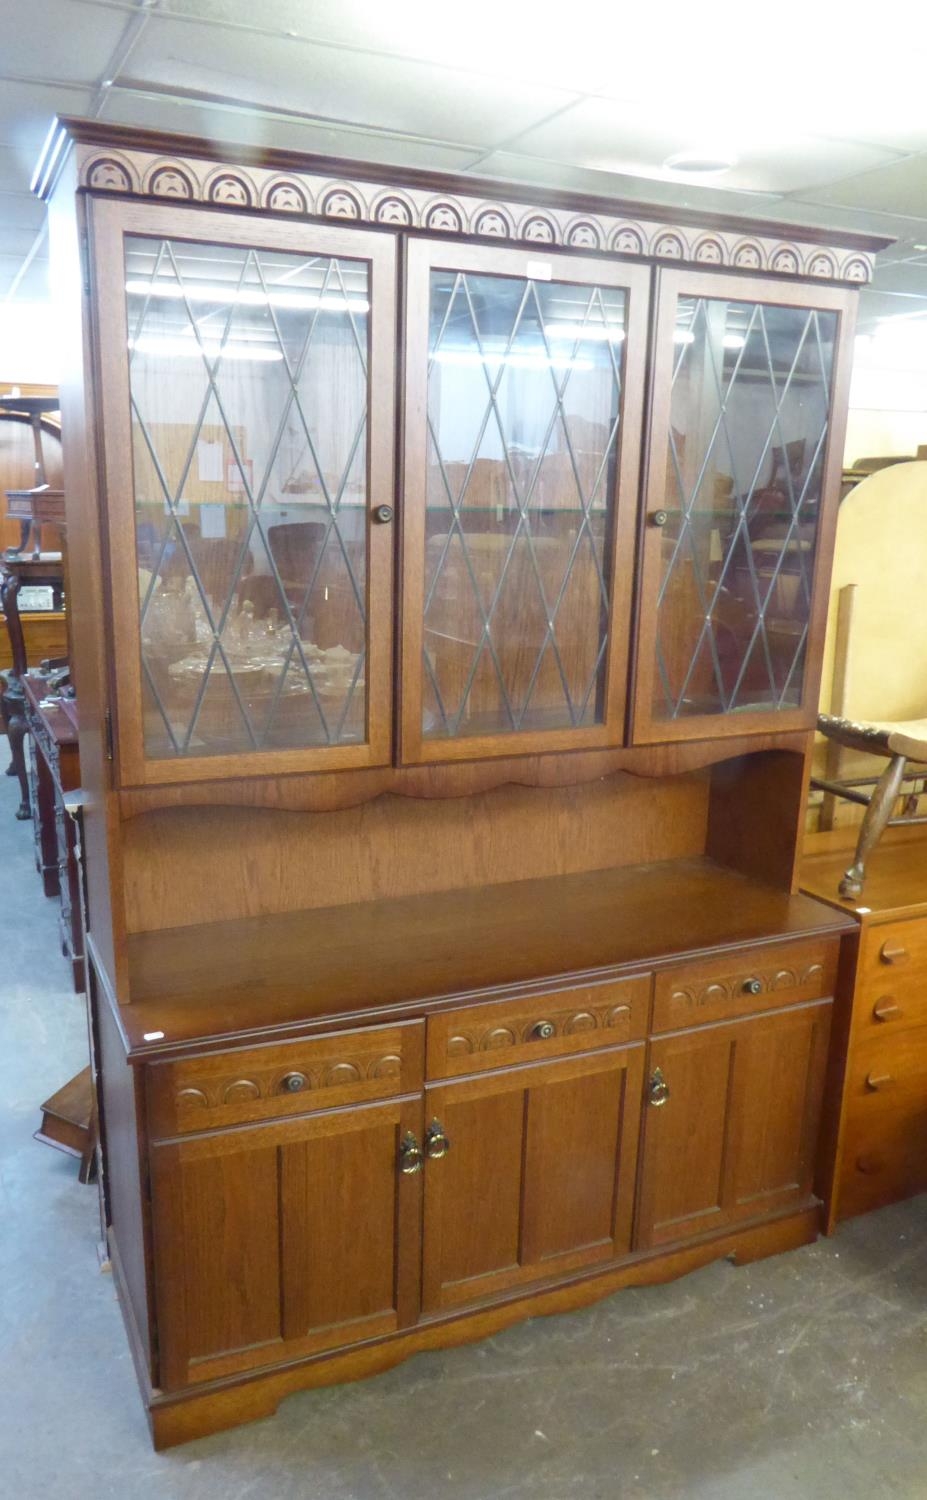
(248, 379)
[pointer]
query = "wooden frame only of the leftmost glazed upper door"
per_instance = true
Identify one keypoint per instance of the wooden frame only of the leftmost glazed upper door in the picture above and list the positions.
(109, 223)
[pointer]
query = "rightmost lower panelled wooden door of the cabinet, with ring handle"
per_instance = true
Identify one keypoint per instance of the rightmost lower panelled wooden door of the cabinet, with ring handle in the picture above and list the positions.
(731, 1123)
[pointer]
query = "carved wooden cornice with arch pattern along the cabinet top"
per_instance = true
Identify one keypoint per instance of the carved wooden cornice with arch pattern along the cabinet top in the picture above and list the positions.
(161, 167)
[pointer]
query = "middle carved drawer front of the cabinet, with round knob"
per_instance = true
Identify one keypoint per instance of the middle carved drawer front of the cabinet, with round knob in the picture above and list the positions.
(551, 1025)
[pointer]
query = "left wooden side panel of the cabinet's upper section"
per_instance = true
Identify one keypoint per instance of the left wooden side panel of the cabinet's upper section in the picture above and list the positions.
(86, 610)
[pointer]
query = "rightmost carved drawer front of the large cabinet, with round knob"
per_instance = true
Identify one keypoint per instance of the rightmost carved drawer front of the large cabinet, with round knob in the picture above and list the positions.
(742, 985)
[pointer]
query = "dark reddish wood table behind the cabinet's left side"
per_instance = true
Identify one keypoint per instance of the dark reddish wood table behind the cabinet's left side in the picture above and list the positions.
(56, 770)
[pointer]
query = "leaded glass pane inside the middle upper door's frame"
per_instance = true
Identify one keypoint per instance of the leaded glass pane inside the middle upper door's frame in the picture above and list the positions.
(524, 397)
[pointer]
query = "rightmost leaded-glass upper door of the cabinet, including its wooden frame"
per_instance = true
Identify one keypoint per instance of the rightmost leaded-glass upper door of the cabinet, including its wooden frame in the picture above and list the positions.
(749, 412)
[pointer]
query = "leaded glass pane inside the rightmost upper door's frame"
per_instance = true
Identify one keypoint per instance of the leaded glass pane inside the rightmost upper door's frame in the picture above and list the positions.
(745, 470)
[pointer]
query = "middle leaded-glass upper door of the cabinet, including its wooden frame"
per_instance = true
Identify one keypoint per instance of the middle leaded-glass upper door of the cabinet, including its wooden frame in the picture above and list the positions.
(523, 418)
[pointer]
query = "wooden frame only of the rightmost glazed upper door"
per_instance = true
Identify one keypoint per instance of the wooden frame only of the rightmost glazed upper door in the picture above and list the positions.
(671, 286)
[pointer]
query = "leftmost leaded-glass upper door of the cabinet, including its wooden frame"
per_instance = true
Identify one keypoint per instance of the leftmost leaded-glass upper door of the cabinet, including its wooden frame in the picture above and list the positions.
(247, 376)
